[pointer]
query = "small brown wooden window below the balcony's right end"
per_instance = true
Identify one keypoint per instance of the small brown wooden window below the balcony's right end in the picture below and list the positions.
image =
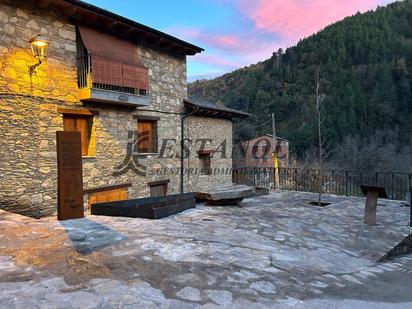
(147, 136)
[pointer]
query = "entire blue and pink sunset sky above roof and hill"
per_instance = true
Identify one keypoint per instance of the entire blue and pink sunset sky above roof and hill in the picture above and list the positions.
(237, 33)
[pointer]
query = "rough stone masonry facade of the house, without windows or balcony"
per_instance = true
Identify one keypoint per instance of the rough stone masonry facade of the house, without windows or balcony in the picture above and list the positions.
(29, 117)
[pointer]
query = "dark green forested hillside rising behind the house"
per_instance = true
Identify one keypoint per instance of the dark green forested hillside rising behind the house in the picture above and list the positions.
(365, 65)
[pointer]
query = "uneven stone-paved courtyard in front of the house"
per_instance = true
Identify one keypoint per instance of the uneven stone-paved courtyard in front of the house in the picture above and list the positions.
(271, 252)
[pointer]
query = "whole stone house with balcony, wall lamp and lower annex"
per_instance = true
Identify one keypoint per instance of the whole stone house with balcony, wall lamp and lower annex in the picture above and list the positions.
(114, 81)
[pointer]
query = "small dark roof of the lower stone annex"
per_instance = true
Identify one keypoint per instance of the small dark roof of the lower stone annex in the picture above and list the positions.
(208, 109)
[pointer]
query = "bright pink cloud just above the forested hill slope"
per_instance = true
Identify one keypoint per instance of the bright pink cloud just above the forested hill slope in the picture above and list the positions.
(294, 19)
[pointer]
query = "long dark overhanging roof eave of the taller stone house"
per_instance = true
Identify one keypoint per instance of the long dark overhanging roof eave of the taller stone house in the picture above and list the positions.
(85, 13)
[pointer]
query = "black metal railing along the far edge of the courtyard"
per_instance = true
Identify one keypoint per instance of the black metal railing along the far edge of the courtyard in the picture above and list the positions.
(339, 182)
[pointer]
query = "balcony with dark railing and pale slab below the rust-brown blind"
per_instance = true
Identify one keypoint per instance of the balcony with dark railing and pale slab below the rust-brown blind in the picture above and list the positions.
(92, 91)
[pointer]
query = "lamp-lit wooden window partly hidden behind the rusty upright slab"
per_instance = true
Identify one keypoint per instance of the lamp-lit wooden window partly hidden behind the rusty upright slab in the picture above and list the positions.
(82, 124)
